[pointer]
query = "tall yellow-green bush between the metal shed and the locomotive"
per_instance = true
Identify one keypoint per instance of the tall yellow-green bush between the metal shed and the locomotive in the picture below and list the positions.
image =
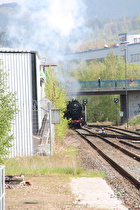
(57, 95)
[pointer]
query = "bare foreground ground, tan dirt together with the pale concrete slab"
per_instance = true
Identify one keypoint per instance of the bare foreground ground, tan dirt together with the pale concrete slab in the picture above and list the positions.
(54, 193)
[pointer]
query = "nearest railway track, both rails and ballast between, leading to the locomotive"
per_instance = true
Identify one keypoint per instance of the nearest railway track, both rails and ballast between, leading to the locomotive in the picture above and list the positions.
(110, 150)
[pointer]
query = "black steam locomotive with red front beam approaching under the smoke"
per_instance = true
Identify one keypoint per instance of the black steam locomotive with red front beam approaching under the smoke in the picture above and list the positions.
(74, 114)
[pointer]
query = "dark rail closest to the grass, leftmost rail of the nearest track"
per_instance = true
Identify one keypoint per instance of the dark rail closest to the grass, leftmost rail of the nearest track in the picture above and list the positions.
(112, 163)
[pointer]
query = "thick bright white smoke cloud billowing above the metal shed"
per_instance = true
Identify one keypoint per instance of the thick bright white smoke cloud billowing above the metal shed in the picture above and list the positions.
(47, 26)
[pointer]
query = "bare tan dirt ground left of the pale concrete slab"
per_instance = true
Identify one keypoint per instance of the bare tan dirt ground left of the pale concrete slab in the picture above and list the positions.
(45, 192)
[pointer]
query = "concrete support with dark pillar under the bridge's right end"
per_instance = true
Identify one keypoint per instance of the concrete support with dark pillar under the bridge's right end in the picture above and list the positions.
(133, 105)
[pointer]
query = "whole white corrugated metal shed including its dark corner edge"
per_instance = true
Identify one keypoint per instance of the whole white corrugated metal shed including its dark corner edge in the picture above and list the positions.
(24, 79)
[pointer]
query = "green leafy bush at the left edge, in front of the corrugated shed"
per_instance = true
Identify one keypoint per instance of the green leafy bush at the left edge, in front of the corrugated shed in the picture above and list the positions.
(7, 114)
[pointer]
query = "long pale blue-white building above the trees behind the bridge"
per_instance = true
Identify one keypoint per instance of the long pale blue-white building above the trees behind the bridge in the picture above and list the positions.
(128, 41)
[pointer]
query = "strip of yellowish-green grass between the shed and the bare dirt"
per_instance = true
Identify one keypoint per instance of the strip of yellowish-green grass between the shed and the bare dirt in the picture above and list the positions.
(63, 162)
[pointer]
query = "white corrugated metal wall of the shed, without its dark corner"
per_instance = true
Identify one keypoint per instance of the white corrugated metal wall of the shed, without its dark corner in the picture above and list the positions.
(20, 66)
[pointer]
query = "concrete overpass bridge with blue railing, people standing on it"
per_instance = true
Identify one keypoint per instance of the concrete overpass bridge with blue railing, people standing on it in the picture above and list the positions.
(129, 93)
